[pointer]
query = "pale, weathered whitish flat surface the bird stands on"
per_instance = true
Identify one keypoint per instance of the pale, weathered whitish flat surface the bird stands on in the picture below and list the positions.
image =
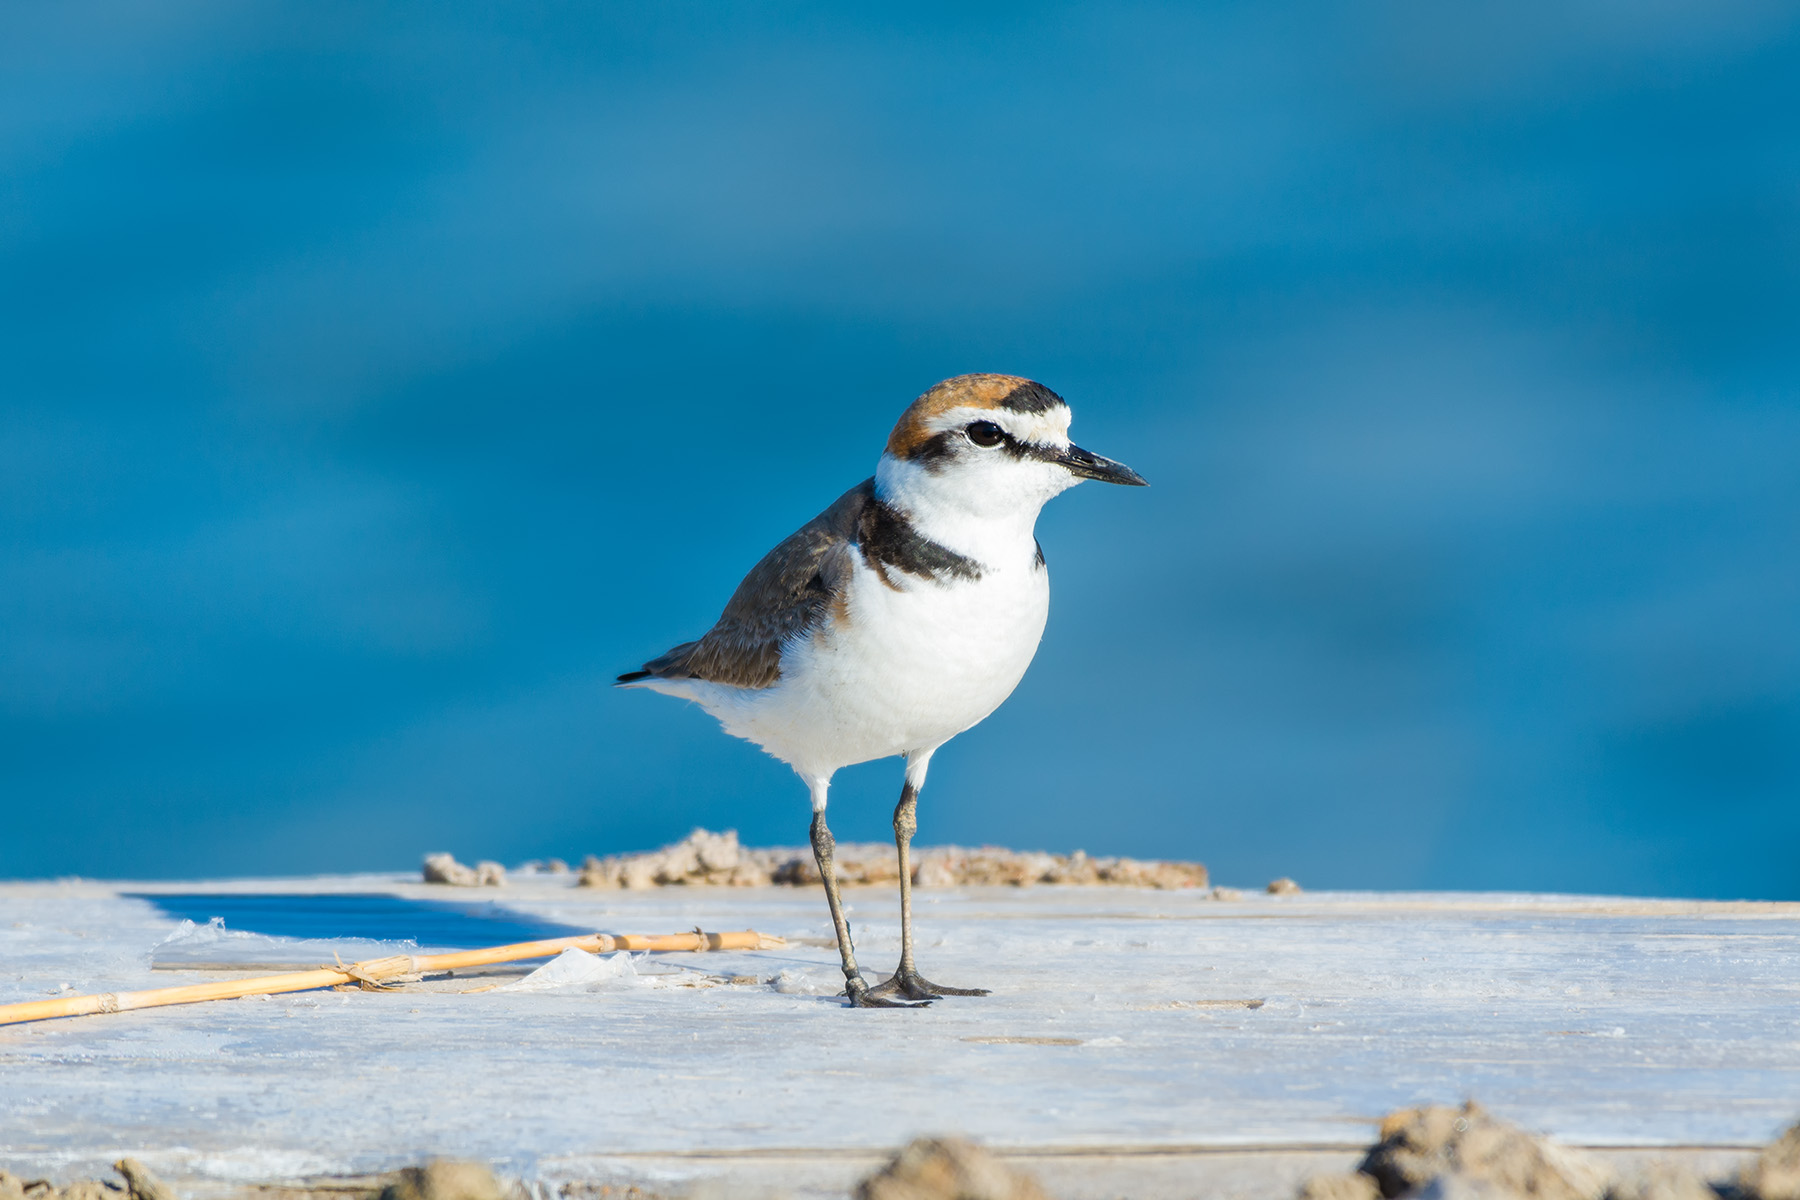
(1137, 1043)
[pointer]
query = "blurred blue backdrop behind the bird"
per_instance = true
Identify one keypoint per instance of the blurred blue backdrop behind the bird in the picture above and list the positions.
(379, 381)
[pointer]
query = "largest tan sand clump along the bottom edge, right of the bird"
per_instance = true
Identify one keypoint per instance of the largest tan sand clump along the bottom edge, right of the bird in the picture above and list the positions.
(1419, 1145)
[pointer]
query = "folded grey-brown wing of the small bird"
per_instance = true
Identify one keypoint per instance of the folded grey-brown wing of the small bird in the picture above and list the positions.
(784, 595)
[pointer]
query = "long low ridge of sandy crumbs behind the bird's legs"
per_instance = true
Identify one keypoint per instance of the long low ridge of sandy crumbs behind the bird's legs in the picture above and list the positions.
(705, 857)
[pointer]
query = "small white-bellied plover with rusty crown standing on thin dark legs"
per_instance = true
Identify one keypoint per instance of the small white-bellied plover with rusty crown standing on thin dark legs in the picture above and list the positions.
(899, 618)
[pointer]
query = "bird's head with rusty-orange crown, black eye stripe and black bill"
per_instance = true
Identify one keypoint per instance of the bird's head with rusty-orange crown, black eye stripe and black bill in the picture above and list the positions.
(989, 445)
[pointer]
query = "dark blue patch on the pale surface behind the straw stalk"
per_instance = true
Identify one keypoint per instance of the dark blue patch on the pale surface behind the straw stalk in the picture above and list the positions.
(440, 924)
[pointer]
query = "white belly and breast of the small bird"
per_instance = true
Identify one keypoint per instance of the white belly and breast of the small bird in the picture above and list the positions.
(910, 670)
